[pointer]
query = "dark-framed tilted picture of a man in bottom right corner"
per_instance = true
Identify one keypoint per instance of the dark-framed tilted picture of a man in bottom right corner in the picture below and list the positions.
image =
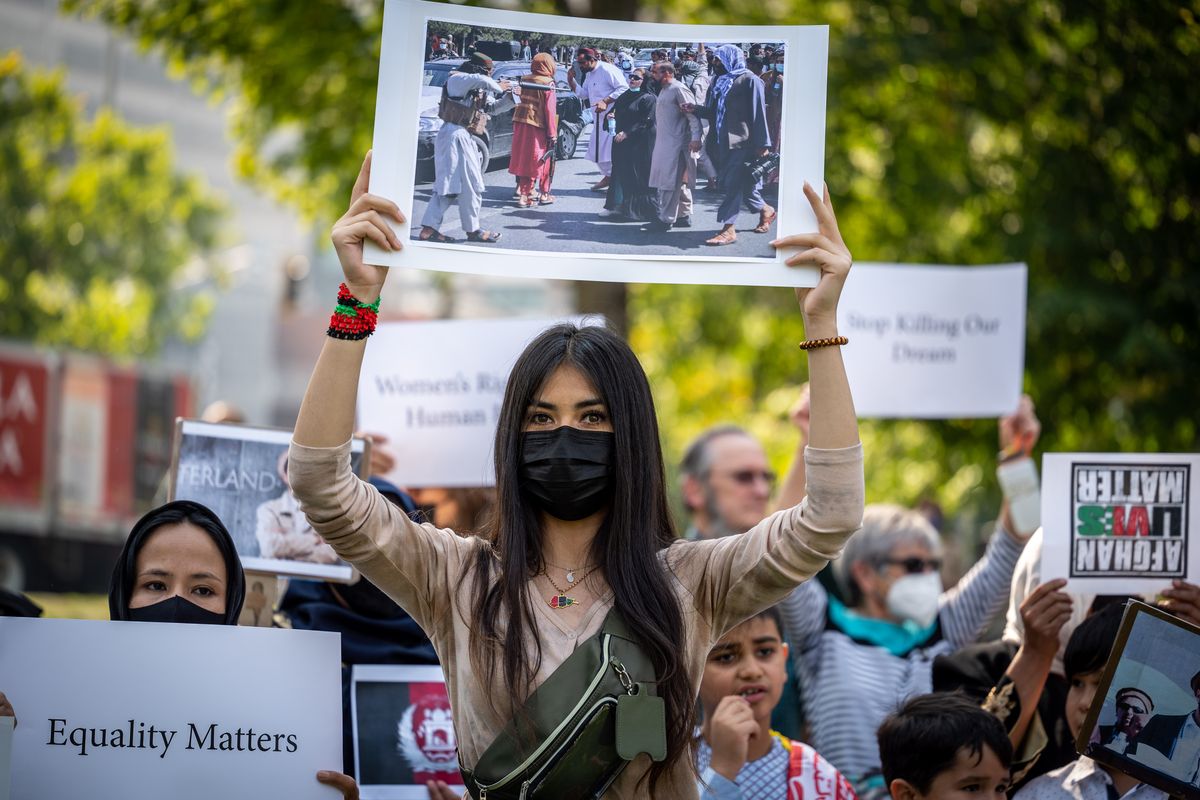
(1145, 720)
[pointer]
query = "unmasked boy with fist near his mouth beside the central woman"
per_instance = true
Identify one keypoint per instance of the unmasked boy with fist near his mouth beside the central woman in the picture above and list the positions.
(739, 756)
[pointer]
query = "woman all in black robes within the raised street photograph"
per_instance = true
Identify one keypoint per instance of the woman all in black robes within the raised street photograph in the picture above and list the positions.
(631, 194)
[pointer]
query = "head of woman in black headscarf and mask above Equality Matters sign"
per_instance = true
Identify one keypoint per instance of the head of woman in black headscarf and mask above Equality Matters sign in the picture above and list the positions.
(179, 566)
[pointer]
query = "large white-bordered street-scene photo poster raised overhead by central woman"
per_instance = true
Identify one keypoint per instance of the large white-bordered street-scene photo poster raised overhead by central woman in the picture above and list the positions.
(547, 147)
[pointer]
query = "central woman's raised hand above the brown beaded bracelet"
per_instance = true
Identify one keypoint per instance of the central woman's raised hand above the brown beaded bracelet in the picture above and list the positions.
(826, 251)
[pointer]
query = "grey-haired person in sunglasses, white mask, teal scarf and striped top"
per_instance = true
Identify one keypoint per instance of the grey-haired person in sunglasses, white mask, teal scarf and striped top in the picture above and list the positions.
(861, 659)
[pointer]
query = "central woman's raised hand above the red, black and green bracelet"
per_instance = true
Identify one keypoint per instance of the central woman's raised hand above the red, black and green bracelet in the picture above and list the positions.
(365, 220)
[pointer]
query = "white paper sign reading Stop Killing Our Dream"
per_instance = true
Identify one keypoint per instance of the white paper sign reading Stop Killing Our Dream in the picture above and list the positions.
(934, 342)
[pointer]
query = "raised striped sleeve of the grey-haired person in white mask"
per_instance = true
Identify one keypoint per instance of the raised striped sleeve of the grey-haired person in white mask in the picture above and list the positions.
(967, 609)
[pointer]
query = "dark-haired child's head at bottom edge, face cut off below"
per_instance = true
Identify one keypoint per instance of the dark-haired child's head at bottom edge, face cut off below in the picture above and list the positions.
(944, 747)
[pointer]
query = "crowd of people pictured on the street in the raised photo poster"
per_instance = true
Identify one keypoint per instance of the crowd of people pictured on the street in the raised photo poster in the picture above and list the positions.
(662, 119)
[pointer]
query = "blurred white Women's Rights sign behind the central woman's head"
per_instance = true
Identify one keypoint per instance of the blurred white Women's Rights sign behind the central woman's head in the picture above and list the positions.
(435, 390)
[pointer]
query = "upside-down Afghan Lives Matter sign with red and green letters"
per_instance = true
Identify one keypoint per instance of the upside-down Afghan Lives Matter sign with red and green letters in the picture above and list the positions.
(1120, 524)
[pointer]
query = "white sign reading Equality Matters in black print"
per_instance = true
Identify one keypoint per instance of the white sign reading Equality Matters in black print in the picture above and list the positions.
(143, 712)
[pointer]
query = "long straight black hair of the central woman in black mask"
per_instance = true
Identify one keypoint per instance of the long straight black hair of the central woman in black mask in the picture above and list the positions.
(626, 548)
